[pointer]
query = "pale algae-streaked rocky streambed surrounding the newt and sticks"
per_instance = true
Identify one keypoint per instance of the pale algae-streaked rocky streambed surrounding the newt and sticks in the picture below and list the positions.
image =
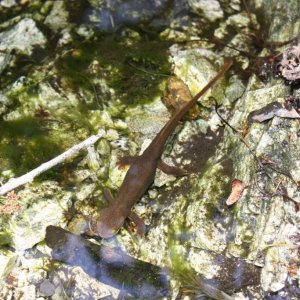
(55, 92)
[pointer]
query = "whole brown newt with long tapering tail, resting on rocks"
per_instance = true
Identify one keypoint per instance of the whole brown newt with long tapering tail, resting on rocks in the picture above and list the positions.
(142, 171)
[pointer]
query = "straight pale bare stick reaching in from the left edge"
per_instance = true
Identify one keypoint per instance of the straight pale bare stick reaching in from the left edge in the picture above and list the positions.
(26, 178)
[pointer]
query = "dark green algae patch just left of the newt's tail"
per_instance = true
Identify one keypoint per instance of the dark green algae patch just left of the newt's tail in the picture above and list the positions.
(133, 69)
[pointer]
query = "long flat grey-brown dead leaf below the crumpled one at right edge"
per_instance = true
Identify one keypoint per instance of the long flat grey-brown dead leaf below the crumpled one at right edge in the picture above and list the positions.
(270, 111)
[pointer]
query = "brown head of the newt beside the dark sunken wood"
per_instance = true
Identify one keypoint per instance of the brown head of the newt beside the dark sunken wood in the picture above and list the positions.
(110, 222)
